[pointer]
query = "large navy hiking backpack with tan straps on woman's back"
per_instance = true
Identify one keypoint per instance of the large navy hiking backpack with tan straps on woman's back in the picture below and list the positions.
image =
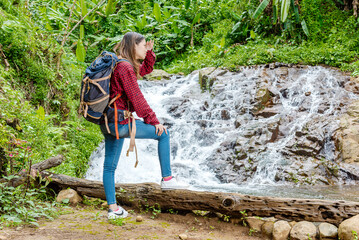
(95, 87)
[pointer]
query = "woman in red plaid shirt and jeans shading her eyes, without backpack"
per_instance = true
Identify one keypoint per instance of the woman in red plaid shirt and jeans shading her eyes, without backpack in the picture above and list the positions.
(133, 48)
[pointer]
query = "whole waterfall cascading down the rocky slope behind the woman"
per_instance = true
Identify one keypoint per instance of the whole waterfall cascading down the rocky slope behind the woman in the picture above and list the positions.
(225, 139)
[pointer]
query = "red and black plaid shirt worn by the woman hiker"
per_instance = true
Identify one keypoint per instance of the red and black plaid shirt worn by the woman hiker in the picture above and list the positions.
(124, 82)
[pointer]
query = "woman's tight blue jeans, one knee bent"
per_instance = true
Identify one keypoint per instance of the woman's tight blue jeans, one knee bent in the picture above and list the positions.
(113, 149)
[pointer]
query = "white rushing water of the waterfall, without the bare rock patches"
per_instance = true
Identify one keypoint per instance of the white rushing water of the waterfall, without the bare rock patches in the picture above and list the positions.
(192, 144)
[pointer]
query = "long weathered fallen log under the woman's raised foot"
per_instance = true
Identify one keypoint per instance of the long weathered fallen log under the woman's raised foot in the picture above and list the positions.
(232, 204)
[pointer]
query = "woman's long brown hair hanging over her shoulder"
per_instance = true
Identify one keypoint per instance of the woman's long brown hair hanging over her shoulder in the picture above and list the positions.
(126, 49)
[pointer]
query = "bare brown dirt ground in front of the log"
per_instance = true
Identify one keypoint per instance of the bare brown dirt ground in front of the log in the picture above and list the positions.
(87, 223)
